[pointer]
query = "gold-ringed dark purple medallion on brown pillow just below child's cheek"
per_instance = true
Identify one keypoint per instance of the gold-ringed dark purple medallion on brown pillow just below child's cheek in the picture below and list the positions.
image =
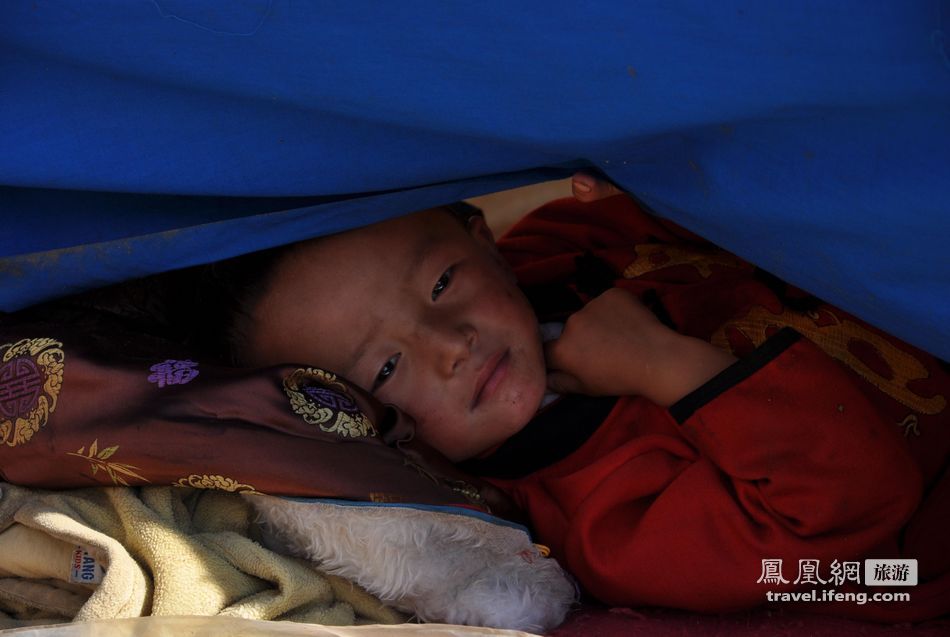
(322, 400)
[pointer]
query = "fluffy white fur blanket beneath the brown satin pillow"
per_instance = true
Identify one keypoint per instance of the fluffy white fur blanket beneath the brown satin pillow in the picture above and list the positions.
(445, 565)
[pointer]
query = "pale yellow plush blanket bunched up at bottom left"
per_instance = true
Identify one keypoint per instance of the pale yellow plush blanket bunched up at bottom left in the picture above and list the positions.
(104, 553)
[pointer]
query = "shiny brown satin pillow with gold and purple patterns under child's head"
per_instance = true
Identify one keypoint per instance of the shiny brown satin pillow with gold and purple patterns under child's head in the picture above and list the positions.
(90, 402)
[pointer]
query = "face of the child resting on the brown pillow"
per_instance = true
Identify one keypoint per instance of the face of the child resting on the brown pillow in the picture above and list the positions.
(422, 312)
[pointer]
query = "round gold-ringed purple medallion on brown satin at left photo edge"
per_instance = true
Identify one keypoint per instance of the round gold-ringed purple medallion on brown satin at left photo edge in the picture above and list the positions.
(31, 376)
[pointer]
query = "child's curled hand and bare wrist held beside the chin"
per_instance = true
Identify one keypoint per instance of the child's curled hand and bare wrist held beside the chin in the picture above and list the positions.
(616, 346)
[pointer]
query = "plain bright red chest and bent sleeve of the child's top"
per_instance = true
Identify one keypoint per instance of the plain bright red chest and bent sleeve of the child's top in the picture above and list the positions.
(788, 461)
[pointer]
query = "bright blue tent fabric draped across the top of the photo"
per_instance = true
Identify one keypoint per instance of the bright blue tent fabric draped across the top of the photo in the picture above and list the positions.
(810, 137)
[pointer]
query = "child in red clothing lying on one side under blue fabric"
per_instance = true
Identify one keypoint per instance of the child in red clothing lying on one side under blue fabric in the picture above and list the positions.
(711, 483)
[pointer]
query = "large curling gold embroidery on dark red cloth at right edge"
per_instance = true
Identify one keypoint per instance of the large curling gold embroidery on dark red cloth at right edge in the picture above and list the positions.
(835, 336)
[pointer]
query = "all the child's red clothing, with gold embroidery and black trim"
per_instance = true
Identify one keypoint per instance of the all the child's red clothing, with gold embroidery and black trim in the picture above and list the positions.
(830, 448)
